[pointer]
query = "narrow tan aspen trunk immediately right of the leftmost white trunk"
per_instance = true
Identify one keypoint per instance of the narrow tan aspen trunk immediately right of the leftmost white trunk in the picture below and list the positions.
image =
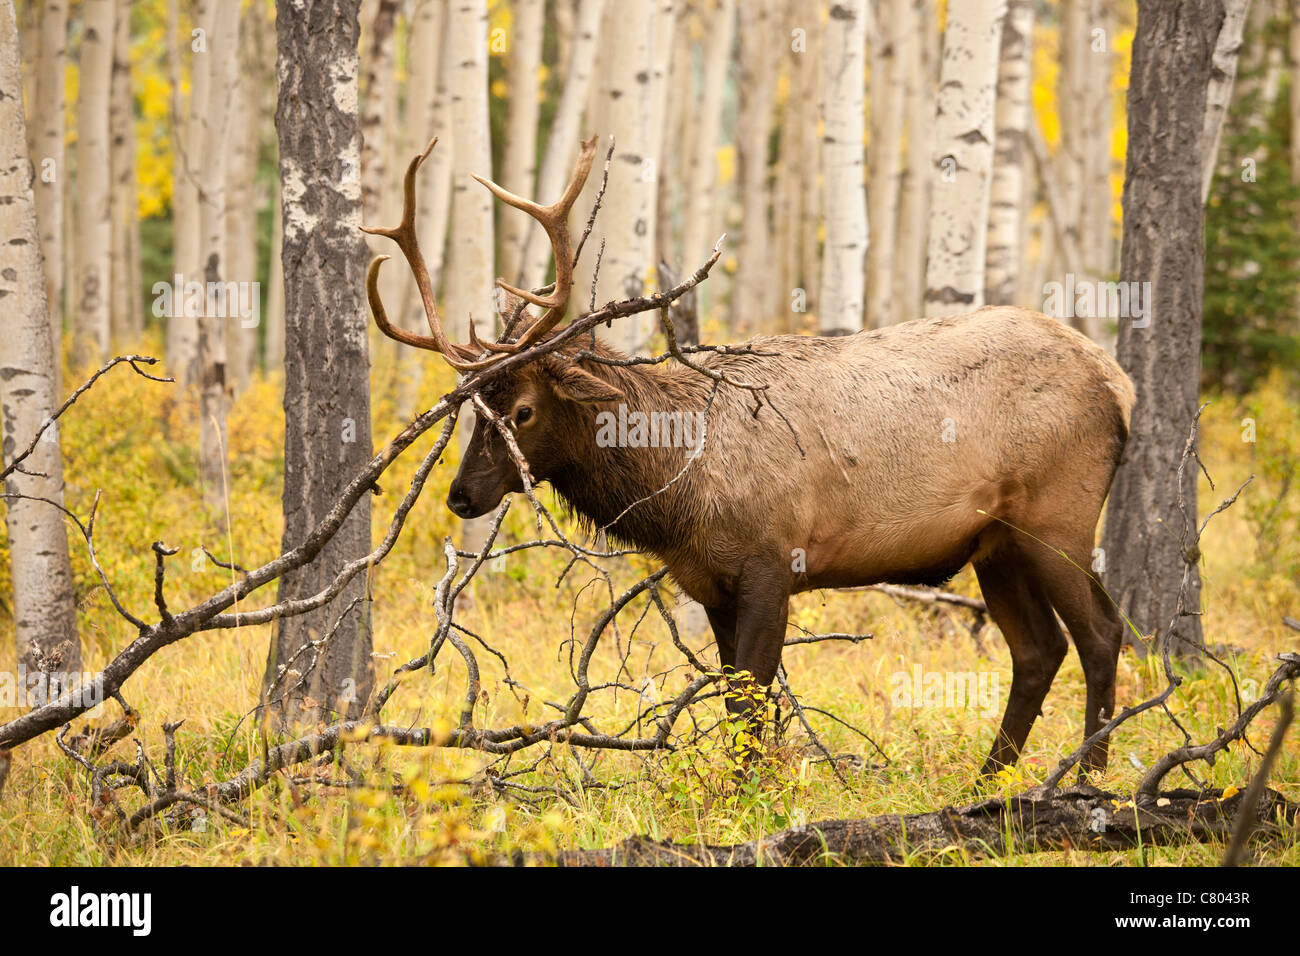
(49, 161)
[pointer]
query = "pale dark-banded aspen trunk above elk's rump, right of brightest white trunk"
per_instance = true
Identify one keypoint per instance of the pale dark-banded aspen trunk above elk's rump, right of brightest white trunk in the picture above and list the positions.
(1007, 210)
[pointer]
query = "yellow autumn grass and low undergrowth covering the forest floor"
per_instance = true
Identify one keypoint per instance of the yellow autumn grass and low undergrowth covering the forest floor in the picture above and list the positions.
(135, 440)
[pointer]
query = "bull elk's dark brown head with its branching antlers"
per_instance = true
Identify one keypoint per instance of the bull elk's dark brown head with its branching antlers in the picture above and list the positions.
(538, 403)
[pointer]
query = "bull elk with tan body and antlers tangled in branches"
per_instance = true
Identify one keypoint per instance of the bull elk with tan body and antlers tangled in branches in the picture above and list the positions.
(907, 453)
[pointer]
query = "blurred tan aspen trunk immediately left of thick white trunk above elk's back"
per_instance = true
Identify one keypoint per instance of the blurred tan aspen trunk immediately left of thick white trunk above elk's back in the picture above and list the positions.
(920, 55)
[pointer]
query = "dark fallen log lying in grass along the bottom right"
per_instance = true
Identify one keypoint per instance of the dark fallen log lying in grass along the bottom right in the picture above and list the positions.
(1080, 817)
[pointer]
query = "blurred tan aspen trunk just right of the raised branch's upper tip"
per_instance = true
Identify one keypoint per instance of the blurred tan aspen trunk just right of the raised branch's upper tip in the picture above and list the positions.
(757, 89)
